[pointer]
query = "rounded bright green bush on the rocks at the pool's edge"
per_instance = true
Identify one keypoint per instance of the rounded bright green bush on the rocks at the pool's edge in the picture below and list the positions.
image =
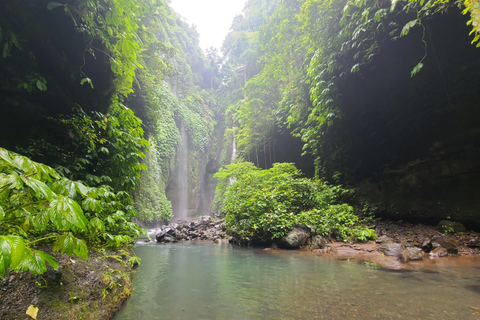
(267, 204)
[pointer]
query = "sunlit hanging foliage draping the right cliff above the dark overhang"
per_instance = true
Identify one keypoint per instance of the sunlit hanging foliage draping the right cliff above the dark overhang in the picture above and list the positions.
(308, 50)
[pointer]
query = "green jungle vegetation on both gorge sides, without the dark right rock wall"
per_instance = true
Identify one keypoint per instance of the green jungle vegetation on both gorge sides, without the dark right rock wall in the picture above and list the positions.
(94, 95)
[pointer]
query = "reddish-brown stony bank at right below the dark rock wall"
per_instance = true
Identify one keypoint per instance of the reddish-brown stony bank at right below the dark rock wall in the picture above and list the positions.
(400, 244)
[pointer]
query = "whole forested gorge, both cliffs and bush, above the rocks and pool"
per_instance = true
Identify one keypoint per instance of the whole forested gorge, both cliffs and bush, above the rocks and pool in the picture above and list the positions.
(374, 100)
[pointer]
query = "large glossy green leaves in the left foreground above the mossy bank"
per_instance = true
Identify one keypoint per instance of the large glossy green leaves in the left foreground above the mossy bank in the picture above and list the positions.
(38, 206)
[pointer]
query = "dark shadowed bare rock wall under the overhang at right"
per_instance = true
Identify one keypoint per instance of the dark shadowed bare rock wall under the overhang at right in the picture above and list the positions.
(412, 144)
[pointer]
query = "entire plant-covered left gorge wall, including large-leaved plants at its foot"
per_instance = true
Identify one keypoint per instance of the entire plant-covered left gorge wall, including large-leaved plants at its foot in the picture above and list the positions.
(100, 90)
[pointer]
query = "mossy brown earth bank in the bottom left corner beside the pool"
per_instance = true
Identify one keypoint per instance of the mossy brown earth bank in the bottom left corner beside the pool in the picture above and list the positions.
(91, 290)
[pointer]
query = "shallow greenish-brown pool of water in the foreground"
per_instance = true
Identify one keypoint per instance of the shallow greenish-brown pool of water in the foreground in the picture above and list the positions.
(211, 281)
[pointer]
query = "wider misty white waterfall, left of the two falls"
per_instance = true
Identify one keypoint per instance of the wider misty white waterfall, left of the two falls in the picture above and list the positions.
(182, 183)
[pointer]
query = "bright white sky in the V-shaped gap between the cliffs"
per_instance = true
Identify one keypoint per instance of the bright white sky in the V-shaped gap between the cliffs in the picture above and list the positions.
(213, 18)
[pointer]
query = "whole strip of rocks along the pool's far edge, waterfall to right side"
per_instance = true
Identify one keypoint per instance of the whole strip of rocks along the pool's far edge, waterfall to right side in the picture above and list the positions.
(397, 245)
